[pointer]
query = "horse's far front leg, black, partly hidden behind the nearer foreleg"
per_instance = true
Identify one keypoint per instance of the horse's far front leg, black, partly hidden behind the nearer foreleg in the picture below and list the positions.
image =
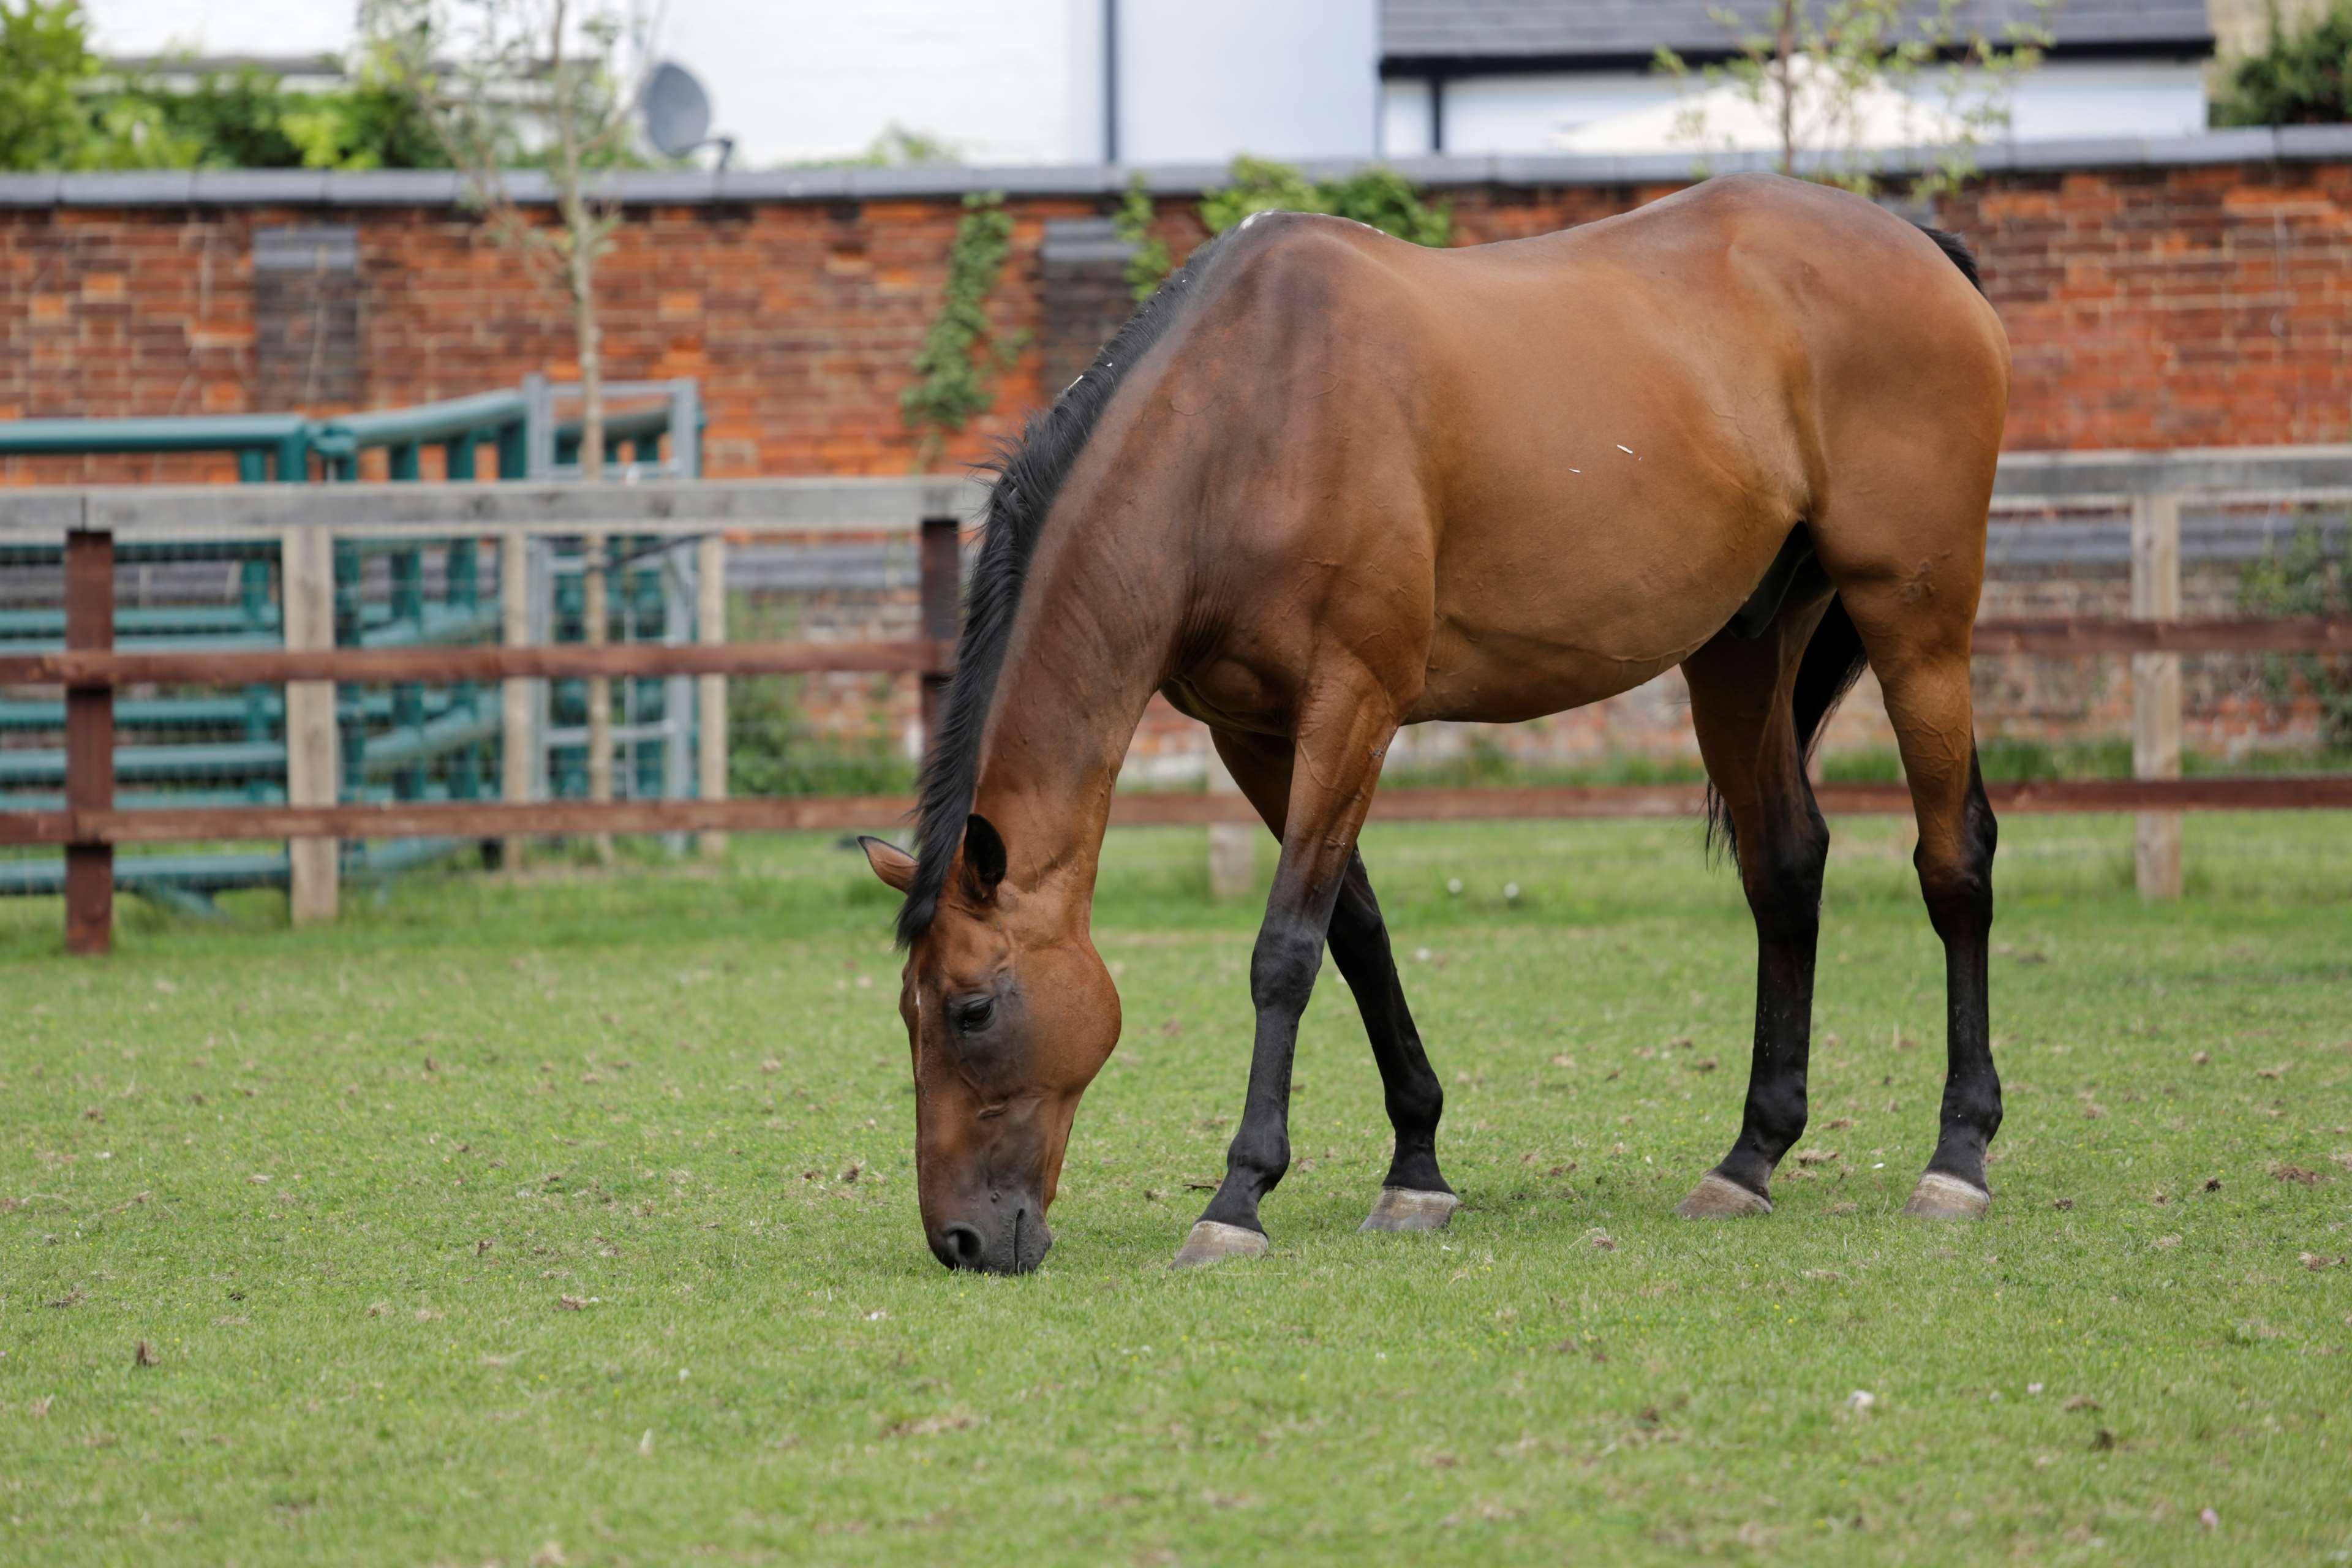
(1412, 1195)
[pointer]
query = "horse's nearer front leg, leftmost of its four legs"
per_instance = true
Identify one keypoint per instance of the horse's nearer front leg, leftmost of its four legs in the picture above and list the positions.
(1344, 732)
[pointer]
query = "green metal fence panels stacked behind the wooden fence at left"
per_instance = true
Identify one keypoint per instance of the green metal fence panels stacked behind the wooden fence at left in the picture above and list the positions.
(399, 744)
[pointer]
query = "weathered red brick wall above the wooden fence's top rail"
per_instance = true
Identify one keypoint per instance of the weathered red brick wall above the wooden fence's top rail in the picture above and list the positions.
(2149, 309)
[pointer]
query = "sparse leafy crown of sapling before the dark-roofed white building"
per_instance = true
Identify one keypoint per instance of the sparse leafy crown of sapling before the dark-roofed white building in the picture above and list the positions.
(1822, 62)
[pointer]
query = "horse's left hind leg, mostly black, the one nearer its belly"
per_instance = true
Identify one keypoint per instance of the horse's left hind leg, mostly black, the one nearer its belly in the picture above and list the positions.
(1749, 739)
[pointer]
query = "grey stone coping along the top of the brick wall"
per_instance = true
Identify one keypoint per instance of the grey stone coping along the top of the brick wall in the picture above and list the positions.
(933, 182)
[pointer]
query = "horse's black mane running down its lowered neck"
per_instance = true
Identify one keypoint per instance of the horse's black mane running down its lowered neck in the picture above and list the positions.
(1029, 476)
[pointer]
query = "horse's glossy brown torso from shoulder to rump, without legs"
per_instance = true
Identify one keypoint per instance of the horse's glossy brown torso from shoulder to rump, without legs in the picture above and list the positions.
(1577, 455)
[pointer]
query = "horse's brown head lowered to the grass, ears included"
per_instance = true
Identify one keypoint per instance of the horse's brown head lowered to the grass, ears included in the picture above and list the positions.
(1010, 1014)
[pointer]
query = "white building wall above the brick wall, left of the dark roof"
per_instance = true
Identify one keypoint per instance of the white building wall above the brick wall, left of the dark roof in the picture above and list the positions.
(1001, 81)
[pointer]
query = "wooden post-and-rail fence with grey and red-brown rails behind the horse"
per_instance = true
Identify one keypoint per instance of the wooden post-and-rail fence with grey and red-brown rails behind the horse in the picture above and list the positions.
(314, 819)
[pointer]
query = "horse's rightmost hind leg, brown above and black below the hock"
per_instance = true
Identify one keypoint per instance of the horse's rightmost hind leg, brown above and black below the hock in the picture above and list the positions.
(1918, 638)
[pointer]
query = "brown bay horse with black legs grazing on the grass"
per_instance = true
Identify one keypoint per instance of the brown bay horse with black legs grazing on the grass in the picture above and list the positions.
(1328, 483)
